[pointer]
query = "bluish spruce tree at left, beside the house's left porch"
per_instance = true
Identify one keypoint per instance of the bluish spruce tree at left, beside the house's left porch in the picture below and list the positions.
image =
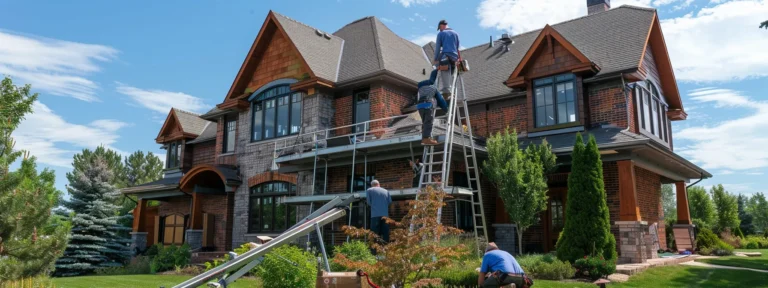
(96, 239)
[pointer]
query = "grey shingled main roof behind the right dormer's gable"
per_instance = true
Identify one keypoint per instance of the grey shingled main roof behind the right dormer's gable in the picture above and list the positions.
(614, 40)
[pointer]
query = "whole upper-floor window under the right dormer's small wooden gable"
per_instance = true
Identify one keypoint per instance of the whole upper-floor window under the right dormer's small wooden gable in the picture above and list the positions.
(554, 100)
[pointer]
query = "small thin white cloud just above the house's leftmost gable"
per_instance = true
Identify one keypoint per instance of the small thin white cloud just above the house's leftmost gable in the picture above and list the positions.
(162, 101)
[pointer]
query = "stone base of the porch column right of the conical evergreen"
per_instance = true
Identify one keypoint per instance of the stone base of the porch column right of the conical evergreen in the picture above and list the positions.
(633, 241)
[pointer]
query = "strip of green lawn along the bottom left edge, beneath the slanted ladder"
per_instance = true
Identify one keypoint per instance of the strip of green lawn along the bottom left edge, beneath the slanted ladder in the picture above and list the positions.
(136, 281)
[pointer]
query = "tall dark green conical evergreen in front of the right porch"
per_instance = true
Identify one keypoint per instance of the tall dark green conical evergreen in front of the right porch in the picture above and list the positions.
(587, 228)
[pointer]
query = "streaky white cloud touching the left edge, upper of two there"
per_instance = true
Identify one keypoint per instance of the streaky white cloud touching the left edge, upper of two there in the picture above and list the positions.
(54, 66)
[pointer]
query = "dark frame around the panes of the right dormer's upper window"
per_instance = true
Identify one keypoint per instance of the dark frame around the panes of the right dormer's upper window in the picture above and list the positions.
(552, 82)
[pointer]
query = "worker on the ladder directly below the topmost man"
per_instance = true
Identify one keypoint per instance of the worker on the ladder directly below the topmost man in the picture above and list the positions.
(428, 97)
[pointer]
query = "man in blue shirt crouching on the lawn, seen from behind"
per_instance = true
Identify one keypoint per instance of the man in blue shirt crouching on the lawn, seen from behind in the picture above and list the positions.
(500, 268)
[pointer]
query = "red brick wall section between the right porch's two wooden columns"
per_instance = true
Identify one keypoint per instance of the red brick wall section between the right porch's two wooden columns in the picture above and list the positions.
(649, 199)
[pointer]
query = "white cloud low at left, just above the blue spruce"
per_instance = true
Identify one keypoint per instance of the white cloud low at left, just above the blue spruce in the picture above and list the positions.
(43, 133)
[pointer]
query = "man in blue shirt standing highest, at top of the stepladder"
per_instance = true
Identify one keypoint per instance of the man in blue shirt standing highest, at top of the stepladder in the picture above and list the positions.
(446, 55)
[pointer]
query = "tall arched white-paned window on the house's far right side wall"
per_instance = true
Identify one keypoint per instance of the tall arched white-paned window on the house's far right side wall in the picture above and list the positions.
(652, 111)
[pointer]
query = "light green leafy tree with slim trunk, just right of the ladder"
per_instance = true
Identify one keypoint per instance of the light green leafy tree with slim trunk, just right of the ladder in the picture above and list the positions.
(519, 177)
